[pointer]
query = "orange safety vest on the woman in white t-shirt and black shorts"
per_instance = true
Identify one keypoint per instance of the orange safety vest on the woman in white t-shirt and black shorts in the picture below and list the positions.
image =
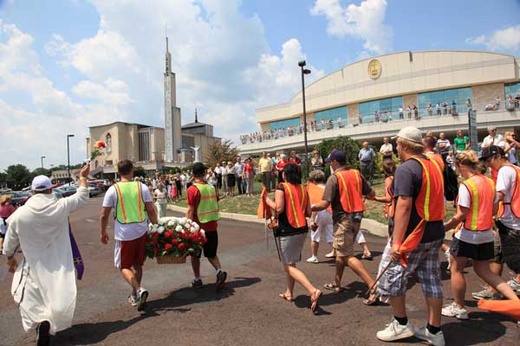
(482, 192)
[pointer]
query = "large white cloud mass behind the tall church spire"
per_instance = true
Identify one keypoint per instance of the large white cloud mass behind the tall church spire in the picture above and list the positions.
(222, 61)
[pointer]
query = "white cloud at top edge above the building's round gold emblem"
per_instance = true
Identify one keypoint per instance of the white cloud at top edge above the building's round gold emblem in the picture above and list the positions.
(365, 21)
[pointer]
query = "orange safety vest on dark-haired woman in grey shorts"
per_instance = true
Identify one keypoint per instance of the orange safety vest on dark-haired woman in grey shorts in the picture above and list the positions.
(296, 200)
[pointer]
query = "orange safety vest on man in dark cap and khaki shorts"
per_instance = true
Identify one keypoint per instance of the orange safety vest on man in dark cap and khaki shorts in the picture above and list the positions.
(350, 190)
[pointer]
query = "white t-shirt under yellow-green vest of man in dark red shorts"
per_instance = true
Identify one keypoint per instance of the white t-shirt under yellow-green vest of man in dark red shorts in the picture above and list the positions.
(129, 231)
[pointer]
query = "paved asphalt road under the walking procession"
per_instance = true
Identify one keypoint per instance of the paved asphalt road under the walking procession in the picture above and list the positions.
(248, 311)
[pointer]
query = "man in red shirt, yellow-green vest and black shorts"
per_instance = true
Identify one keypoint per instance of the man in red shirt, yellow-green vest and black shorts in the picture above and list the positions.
(203, 209)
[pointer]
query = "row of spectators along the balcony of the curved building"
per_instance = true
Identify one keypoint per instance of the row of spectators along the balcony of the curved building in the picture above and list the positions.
(412, 111)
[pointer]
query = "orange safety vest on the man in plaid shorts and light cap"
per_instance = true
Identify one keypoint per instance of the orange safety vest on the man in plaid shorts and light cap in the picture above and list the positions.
(430, 201)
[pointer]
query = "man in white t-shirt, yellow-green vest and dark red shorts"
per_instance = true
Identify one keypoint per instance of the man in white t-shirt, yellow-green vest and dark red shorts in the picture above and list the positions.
(133, 205)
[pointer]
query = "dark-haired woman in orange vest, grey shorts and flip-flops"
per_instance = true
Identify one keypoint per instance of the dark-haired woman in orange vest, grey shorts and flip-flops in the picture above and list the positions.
(292, 207)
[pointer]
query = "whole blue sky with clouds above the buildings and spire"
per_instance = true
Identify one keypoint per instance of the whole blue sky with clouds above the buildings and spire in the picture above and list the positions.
(66, 65)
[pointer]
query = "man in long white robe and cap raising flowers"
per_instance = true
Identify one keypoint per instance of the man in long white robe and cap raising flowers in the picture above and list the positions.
(44, 284)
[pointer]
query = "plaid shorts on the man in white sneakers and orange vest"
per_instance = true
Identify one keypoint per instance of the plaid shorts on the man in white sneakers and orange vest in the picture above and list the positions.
(423, 261)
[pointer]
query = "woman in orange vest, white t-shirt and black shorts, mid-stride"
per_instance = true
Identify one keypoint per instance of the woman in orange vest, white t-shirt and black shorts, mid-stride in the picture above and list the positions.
(476, 205)
